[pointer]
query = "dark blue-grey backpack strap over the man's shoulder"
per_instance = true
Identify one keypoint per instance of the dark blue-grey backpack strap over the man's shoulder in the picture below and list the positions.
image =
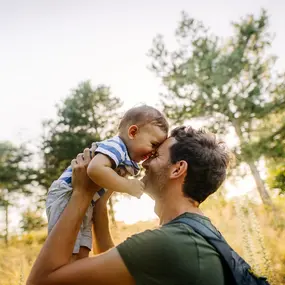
(217, 241)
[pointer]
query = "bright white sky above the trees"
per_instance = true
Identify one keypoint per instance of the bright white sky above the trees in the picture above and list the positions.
(49, 46)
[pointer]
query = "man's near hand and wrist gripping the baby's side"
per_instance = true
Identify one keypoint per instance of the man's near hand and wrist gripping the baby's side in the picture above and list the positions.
(80, 180)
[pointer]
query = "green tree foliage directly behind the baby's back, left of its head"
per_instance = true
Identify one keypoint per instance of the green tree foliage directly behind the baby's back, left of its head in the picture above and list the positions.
(88, 114)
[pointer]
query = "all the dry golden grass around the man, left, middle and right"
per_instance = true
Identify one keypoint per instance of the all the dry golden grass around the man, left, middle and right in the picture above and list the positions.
(258, 235)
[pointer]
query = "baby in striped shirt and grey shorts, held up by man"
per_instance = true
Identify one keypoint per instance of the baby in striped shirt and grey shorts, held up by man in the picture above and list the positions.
(141, 130)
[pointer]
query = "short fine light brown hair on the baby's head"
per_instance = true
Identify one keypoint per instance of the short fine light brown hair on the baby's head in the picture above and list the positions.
(143, 115)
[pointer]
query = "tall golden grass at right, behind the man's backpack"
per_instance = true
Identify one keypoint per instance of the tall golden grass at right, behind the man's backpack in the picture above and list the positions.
(256, 233)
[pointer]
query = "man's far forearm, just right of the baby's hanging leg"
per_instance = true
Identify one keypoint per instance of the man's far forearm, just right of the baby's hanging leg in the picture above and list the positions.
(101, 231)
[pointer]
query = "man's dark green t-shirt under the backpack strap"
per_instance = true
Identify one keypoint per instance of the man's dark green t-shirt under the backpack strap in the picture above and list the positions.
(173, 254)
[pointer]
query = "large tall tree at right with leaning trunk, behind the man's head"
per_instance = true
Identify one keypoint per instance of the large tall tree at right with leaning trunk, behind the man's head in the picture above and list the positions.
(231, 84)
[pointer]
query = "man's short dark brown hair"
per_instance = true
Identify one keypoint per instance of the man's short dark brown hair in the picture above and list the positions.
(207, 160)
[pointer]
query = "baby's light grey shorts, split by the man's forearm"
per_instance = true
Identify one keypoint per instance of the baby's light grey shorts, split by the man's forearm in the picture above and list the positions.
(58, 196)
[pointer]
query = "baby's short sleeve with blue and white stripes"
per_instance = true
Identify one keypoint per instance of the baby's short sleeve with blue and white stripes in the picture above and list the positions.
(113, 149)
